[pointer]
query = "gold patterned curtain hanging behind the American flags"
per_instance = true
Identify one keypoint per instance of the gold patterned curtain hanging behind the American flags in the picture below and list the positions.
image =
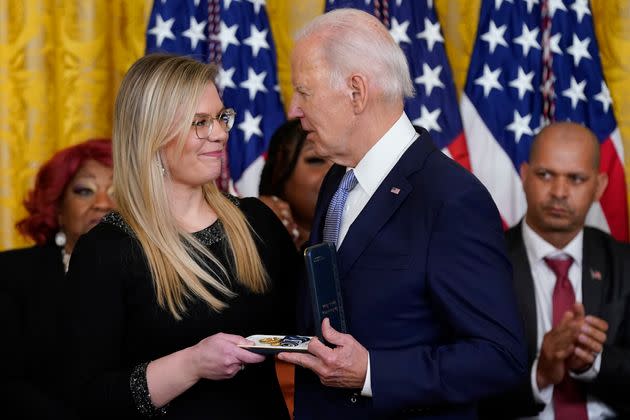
(61, 62)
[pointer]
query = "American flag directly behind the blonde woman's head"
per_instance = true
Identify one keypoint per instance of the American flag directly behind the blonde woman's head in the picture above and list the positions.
(236, 35)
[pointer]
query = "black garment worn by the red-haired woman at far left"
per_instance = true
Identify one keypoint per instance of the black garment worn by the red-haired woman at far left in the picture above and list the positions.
(31, 289)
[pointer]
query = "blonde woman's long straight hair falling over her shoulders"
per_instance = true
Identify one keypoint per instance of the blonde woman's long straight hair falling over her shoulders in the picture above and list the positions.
(156, 104)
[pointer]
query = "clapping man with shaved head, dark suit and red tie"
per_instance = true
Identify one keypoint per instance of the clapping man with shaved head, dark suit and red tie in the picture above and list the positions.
(572, 287)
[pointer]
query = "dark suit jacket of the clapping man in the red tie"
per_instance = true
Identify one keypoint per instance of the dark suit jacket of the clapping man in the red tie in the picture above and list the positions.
(606, 294)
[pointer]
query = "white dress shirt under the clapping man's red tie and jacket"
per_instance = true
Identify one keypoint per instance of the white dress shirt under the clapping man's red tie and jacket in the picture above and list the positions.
(544, 283)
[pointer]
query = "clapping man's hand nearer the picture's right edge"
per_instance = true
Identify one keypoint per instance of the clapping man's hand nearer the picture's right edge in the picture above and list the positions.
(589, 344)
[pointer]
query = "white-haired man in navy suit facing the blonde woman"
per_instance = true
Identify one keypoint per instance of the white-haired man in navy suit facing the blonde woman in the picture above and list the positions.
(425, 279)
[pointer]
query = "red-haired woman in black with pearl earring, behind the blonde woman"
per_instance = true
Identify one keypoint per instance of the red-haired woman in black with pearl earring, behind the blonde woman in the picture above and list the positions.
(72, 193)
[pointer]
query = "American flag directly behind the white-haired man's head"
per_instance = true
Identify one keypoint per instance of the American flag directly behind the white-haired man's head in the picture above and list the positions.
(416, 29)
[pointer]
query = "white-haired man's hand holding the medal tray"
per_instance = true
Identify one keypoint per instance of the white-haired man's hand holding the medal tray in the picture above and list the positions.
(345, 366)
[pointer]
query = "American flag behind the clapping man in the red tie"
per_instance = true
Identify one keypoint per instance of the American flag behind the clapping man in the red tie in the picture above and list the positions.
(535, 61)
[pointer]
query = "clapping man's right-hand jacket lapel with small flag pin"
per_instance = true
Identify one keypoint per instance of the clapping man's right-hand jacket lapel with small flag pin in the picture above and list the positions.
(594, 273)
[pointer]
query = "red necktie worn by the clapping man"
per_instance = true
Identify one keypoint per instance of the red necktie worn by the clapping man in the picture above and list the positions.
(569, 399)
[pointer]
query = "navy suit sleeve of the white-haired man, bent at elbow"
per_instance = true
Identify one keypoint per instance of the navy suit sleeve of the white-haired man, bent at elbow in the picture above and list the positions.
(469, 282)
